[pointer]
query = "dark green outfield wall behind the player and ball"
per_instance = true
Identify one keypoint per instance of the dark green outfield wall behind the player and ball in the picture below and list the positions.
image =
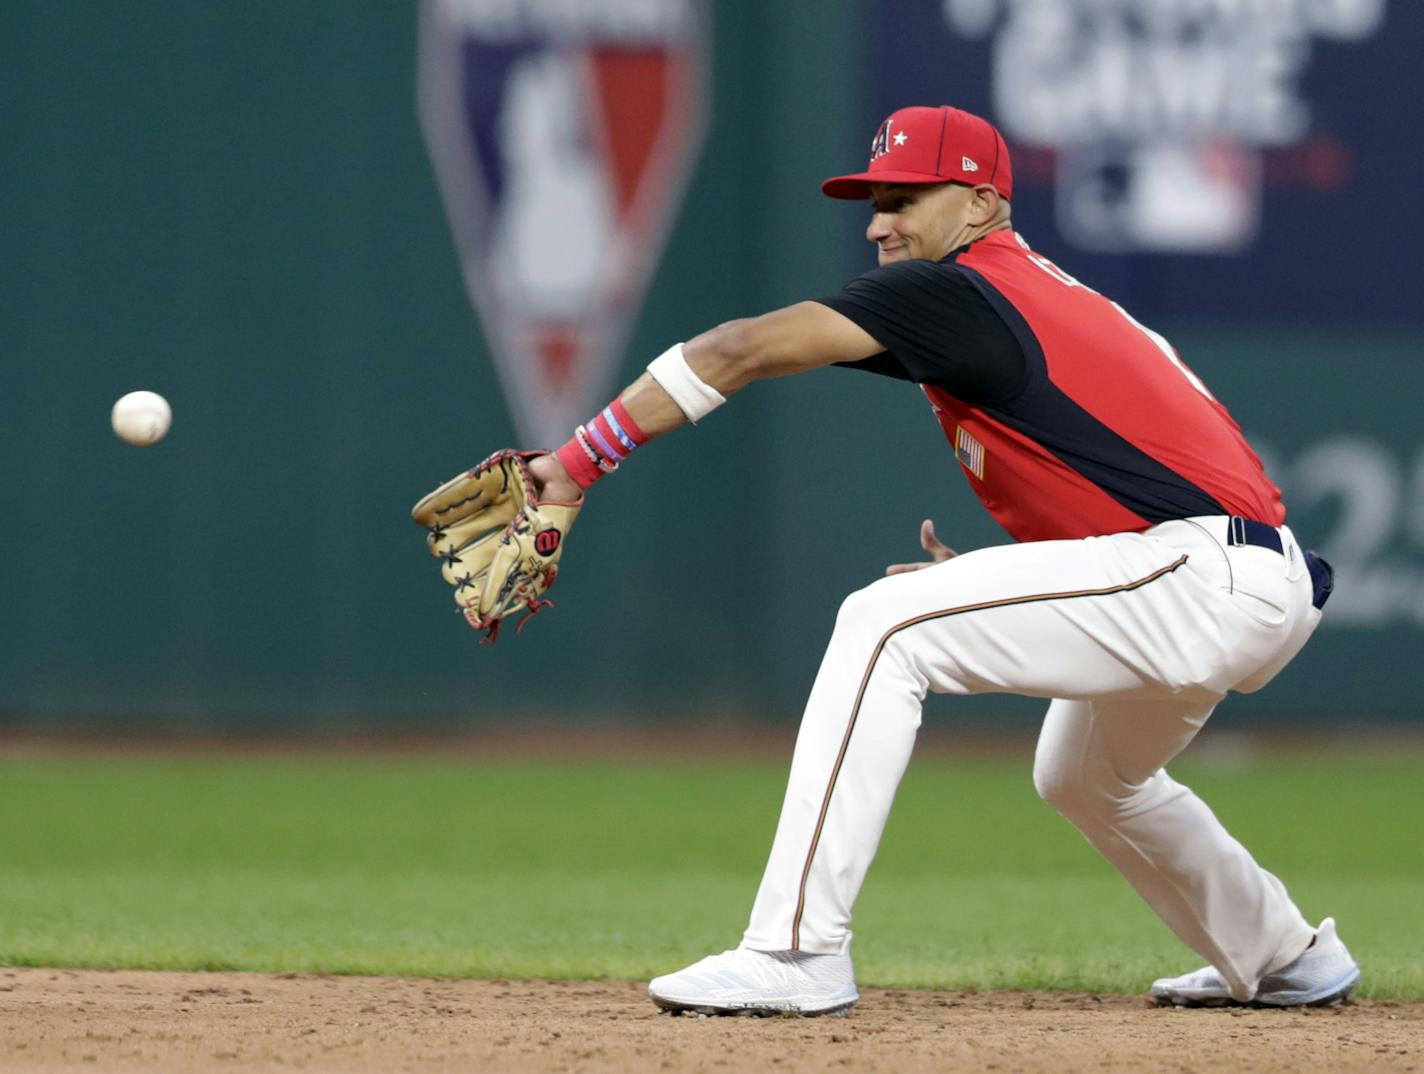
(234, 206)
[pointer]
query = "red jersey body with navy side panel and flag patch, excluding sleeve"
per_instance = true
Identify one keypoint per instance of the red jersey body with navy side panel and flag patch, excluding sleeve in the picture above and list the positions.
(1113, 431)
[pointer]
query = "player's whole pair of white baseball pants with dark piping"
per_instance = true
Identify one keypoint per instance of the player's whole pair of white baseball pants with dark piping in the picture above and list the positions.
(1136, 637)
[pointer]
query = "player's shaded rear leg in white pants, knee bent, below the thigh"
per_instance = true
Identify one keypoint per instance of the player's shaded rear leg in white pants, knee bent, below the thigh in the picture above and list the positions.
(1101, 766)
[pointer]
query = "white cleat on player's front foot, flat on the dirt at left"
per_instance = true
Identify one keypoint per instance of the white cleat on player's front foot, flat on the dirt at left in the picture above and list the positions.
(747, 982)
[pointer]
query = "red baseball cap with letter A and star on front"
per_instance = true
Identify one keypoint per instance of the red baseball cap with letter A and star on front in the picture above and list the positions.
(931, 146)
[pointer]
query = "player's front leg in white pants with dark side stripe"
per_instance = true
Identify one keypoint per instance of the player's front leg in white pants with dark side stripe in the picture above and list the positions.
(1096, 617)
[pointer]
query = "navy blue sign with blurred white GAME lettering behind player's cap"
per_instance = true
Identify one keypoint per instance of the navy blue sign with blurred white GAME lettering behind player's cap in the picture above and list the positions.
(1151, 135)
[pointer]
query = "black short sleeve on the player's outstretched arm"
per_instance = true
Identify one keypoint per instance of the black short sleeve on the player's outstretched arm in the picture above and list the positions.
(936, 328)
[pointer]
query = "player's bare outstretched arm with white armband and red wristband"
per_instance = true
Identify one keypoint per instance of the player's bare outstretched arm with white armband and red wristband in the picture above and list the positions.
(694, 378)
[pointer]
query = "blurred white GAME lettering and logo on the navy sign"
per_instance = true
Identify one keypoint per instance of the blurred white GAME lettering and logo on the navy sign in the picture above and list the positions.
(1161, 113)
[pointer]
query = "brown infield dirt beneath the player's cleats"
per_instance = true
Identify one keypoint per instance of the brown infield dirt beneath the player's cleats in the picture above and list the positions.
(70, 1021)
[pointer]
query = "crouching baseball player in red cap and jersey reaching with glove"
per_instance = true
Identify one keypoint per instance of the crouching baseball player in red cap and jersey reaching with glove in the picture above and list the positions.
(1151, 573)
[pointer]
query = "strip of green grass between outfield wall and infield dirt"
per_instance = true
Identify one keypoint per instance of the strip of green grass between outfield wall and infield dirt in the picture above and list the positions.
(629, 870)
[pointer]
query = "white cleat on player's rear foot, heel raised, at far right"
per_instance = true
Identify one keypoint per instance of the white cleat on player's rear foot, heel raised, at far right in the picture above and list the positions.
(1324, 976)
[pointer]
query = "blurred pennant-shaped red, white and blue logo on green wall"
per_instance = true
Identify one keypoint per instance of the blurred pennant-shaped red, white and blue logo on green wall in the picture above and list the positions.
(563, 136)
